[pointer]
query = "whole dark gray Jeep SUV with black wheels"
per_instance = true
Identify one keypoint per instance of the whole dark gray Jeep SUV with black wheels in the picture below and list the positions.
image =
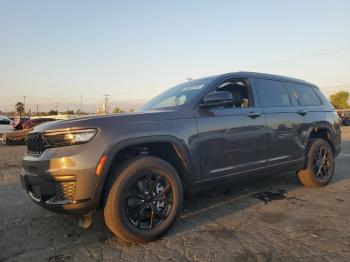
(194, 136)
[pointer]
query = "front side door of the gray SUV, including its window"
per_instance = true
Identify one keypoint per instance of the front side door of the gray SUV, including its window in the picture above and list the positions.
(231, 139)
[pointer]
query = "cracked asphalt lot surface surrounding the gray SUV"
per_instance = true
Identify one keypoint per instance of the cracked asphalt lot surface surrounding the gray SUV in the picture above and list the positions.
(295, 224)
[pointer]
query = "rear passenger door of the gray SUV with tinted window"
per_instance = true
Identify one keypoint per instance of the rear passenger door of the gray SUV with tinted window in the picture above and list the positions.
(284, 121)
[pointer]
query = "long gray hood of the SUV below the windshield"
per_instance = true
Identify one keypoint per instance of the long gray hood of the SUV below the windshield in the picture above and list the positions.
(103, 121)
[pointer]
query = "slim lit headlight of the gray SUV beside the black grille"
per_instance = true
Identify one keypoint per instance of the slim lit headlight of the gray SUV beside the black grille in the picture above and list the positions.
(69, 137)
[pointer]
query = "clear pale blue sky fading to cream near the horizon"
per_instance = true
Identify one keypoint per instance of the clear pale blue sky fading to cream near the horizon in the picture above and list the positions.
(55, 51)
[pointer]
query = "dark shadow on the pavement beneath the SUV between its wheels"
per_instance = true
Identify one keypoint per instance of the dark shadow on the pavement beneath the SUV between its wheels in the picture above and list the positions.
(233, 198)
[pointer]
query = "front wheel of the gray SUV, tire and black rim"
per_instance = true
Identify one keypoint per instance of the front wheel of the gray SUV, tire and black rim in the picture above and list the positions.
(130, 187)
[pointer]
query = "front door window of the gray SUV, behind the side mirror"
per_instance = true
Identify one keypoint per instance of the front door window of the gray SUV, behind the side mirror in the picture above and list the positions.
(240, 90)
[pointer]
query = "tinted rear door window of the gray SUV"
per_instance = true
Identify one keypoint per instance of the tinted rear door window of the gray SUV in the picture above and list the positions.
(272, 93)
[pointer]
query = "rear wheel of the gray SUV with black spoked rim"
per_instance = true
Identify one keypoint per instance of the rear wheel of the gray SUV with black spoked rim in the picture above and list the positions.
(314, 175)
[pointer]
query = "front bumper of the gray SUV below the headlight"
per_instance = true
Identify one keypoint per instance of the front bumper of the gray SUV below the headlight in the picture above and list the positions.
(62, 179)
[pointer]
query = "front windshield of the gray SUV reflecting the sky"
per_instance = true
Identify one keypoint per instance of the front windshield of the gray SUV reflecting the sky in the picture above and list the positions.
(178, 95)
